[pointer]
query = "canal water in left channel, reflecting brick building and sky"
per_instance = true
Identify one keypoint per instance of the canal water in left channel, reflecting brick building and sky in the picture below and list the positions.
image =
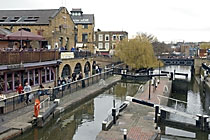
(85, 122)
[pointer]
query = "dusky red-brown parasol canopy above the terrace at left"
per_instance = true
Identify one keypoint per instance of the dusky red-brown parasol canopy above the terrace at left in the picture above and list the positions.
(23, 35)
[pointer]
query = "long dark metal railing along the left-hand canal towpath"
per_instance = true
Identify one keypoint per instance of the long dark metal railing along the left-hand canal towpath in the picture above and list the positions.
(18, 101)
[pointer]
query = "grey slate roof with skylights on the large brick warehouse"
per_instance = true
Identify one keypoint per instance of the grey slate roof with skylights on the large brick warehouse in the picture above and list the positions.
(17, 17)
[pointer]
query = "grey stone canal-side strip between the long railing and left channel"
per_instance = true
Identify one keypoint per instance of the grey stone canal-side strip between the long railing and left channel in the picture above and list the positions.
(17, 122)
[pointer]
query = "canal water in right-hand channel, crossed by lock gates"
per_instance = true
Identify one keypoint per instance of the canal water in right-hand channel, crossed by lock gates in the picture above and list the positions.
(198, 102)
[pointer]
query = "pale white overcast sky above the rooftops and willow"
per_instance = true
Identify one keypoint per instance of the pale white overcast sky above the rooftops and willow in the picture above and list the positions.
(168, 20)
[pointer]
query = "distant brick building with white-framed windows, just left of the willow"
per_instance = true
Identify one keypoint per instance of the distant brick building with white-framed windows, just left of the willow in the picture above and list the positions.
(106, 41)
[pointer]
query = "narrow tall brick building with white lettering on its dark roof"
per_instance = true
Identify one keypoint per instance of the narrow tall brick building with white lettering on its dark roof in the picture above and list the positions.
(84, 26)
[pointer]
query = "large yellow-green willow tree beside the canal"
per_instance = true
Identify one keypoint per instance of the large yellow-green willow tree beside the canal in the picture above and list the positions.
(137, 53)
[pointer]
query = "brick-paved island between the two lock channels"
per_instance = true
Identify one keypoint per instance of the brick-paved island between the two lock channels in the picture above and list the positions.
(138, 119)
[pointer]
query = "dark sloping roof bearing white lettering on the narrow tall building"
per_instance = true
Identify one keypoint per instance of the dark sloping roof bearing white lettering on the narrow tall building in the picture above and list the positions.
(83, 19)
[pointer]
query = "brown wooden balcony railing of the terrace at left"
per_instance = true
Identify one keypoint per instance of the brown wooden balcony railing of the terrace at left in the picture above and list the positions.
(17, 57)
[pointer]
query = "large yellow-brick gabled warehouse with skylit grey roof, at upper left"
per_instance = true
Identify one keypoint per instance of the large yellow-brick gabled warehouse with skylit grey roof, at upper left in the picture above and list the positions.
(55, 25)
